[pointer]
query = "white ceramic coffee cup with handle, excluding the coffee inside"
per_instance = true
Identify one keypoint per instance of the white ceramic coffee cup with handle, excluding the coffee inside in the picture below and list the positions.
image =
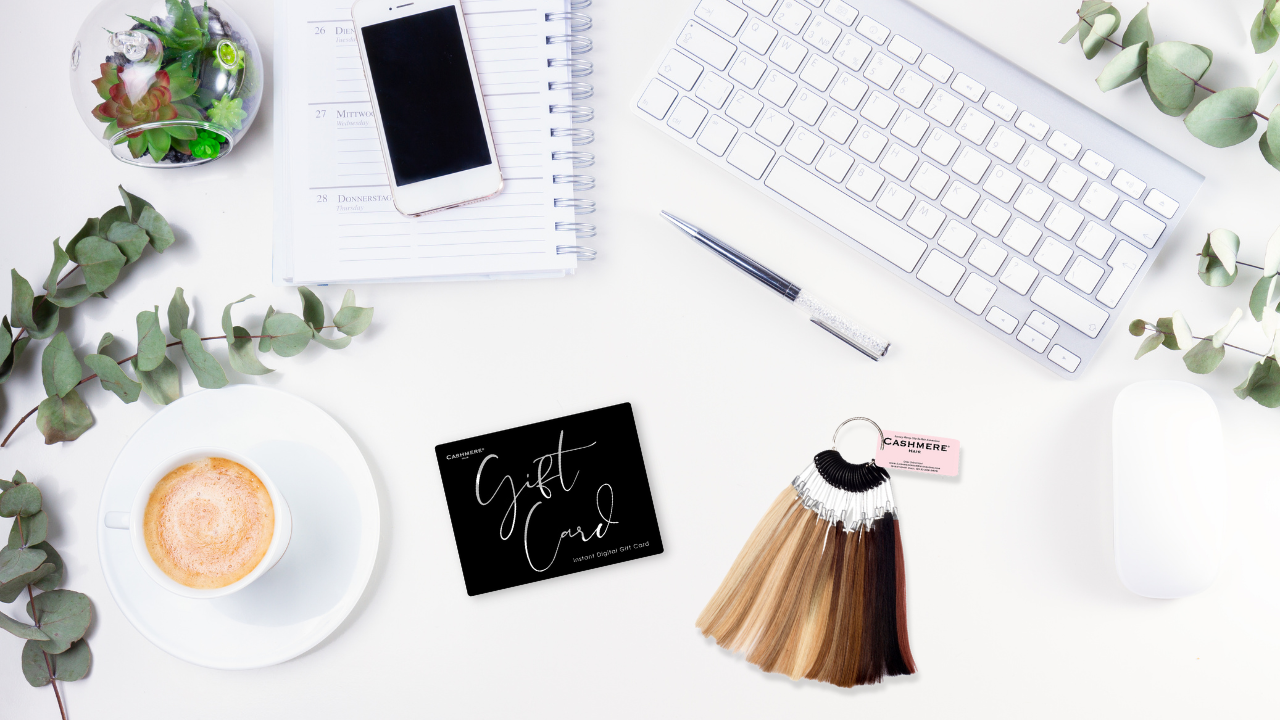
(132, 522)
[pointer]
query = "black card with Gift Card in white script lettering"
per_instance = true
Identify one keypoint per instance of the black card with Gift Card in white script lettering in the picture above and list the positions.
(550, 499)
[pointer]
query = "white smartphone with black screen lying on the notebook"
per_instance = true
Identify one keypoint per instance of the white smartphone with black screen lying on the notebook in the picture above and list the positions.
(428, 107)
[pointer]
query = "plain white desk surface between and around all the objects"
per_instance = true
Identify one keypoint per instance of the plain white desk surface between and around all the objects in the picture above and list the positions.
(1014, 604)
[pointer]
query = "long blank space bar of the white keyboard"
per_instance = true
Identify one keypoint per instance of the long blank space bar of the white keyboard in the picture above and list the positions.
(845, 215)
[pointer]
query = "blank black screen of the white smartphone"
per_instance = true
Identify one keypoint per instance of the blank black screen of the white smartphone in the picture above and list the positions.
(431, 112)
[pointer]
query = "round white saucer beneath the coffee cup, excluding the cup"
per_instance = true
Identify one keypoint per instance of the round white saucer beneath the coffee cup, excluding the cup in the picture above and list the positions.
(336, 528)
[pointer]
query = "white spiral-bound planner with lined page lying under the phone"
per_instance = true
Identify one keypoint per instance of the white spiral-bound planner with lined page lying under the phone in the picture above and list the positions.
(335, 218)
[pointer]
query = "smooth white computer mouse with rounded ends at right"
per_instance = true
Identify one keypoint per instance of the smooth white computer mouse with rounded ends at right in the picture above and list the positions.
(1169, 489)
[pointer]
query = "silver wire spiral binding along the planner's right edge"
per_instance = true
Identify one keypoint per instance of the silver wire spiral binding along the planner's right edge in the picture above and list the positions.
(577, 24)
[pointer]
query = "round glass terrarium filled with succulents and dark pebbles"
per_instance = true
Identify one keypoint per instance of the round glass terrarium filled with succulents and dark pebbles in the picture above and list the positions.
(167, 84)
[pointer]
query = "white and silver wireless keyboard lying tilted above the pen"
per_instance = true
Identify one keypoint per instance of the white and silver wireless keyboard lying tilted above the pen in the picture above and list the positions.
(1000, 197)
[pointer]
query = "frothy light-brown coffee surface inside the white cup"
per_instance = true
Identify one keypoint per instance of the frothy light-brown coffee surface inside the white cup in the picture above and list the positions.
(209, 523)
